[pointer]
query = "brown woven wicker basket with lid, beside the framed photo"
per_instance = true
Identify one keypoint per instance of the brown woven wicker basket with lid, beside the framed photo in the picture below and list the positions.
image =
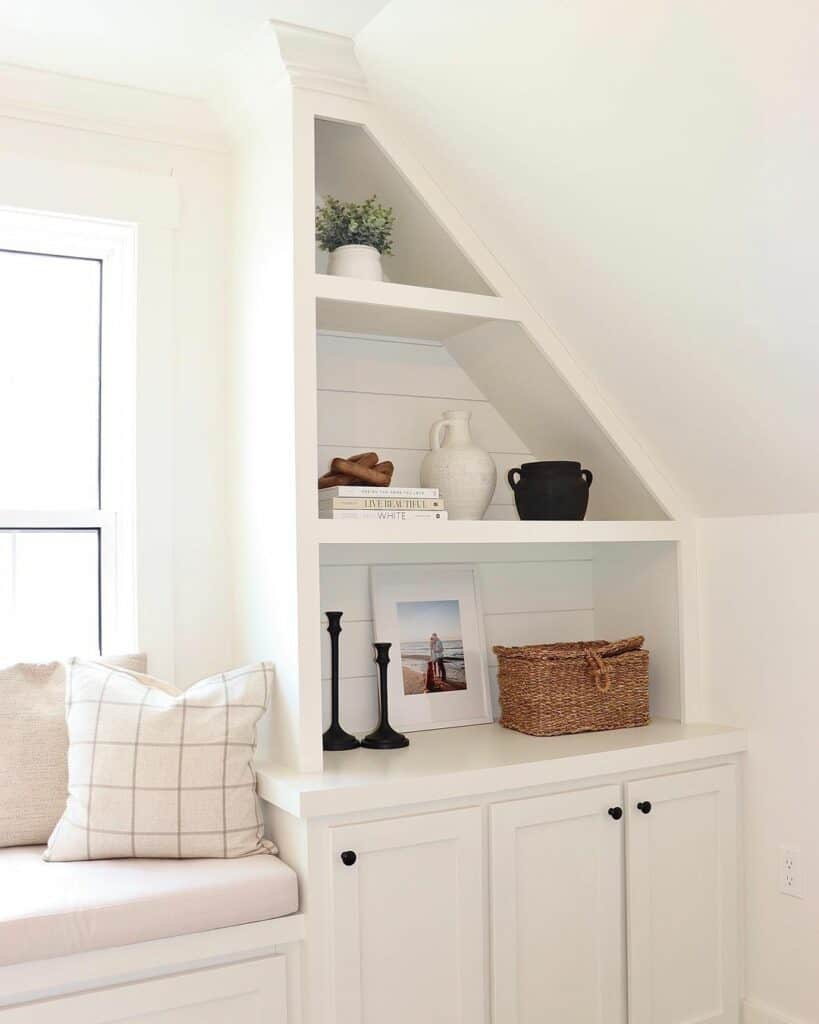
(558, 689)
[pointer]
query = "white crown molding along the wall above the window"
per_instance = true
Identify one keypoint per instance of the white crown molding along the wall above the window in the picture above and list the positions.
(49, 99)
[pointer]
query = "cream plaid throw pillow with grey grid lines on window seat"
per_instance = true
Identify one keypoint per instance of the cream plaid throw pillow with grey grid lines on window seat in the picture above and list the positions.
(154, 773)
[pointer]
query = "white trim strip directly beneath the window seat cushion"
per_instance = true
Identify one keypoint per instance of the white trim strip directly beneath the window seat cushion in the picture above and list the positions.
(62, 975)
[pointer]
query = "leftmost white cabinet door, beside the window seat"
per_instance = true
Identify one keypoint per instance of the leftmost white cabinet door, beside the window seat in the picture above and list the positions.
(409, 933)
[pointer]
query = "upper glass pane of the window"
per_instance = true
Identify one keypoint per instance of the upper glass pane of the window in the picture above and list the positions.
(50, 381)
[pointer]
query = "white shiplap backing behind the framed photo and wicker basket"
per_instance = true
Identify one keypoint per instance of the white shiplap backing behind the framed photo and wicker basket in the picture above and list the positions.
(538, 602)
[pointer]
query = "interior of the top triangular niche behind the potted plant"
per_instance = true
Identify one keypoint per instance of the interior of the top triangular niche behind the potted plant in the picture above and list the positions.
(352, 167)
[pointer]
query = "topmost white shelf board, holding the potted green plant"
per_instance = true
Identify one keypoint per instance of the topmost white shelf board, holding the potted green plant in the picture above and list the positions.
(352, 305)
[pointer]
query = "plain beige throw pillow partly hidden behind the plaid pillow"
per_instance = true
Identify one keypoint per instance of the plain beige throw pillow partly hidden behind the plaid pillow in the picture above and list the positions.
(34, 746)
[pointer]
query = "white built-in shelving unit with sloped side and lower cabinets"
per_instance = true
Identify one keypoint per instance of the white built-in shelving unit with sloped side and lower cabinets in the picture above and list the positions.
(326, 366)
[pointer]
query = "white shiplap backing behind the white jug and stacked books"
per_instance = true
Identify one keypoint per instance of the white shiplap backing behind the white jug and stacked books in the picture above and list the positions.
(383, 396)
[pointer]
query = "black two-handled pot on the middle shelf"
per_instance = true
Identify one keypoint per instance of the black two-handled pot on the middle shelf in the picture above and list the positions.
(551, 490)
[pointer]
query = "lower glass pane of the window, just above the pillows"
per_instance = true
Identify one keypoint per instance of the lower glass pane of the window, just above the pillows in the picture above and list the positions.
(50, 594)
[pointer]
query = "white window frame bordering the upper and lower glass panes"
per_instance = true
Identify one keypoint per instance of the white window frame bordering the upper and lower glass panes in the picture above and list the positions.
(114, 245)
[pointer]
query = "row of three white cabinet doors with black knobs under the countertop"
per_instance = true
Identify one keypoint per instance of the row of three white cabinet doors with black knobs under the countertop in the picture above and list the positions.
(615, 905)
